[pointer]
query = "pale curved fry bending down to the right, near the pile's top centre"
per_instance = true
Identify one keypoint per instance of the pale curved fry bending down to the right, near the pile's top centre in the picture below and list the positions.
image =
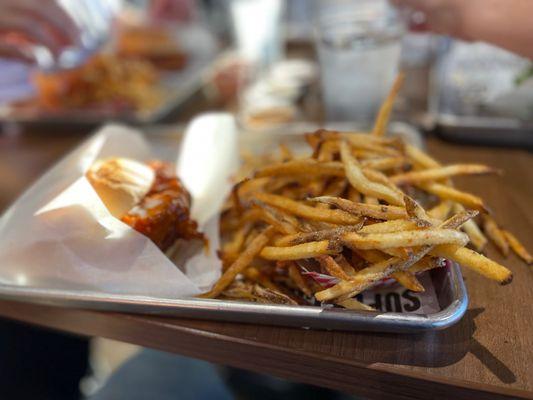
(359, 181)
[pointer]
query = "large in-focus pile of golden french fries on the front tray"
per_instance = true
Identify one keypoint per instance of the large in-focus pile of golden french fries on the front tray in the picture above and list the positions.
(359, 209)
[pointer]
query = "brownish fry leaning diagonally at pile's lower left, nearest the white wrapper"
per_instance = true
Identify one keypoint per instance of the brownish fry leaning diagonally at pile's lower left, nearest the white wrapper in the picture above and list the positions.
(241, 263)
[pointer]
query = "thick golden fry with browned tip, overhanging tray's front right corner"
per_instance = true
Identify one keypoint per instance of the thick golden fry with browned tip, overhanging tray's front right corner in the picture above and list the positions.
(479, 263)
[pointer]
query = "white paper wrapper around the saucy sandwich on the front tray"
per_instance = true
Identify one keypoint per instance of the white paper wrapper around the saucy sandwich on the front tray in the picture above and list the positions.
(59, 235)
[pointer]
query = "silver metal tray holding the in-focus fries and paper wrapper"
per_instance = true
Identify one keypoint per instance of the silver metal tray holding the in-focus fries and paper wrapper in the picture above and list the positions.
(448, 284)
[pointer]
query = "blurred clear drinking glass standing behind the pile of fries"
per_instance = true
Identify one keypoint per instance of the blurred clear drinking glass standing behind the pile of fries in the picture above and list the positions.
(358, 44)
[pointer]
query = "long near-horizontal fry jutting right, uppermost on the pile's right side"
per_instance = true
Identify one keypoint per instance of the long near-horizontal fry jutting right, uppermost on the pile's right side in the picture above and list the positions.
(442, 173)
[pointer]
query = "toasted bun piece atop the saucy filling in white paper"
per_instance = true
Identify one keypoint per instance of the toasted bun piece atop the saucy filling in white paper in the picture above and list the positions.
(121, 183)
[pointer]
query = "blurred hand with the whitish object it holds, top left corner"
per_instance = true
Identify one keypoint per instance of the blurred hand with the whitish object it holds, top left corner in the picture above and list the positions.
(52, 33)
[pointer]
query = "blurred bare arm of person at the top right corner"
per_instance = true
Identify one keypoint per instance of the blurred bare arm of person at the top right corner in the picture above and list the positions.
(505, 23)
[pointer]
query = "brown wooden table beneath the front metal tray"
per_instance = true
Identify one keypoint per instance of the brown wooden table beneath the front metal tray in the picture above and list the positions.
(489, 354)
